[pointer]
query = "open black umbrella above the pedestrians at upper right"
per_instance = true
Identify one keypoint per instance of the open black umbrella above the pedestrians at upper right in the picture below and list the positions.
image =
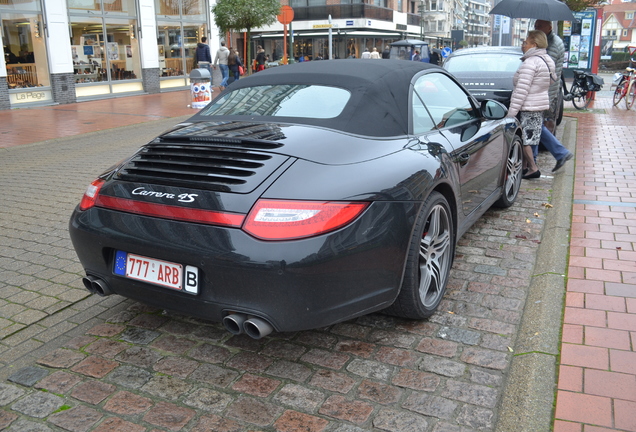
(547, 10)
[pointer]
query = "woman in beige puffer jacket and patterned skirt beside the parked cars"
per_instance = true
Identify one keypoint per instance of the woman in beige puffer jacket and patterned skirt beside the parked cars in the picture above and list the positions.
(530, 95)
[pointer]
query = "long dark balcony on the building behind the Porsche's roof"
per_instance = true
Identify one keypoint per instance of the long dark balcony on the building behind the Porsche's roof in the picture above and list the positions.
(343, 11)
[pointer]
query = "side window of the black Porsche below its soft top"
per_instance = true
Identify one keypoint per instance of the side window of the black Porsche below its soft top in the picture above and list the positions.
(443, 99)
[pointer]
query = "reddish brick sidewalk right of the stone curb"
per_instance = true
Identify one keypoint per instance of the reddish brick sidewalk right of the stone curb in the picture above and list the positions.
(597, 376)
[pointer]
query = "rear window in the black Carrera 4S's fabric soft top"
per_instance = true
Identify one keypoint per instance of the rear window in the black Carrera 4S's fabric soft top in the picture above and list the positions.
(289, 100)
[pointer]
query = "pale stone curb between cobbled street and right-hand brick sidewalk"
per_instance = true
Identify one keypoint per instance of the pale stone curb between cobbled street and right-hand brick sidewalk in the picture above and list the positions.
(529, 393)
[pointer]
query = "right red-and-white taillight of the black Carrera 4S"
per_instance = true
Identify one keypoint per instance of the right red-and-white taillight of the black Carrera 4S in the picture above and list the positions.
(285, 220)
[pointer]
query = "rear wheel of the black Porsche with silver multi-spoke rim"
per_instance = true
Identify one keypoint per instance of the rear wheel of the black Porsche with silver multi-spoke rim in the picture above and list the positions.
(429, 261)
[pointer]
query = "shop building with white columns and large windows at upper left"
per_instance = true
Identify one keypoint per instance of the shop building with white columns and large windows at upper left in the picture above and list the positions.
(63, 51)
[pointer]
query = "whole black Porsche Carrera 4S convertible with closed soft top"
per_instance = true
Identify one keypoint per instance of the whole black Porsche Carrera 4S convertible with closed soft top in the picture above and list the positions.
(302, 196)
